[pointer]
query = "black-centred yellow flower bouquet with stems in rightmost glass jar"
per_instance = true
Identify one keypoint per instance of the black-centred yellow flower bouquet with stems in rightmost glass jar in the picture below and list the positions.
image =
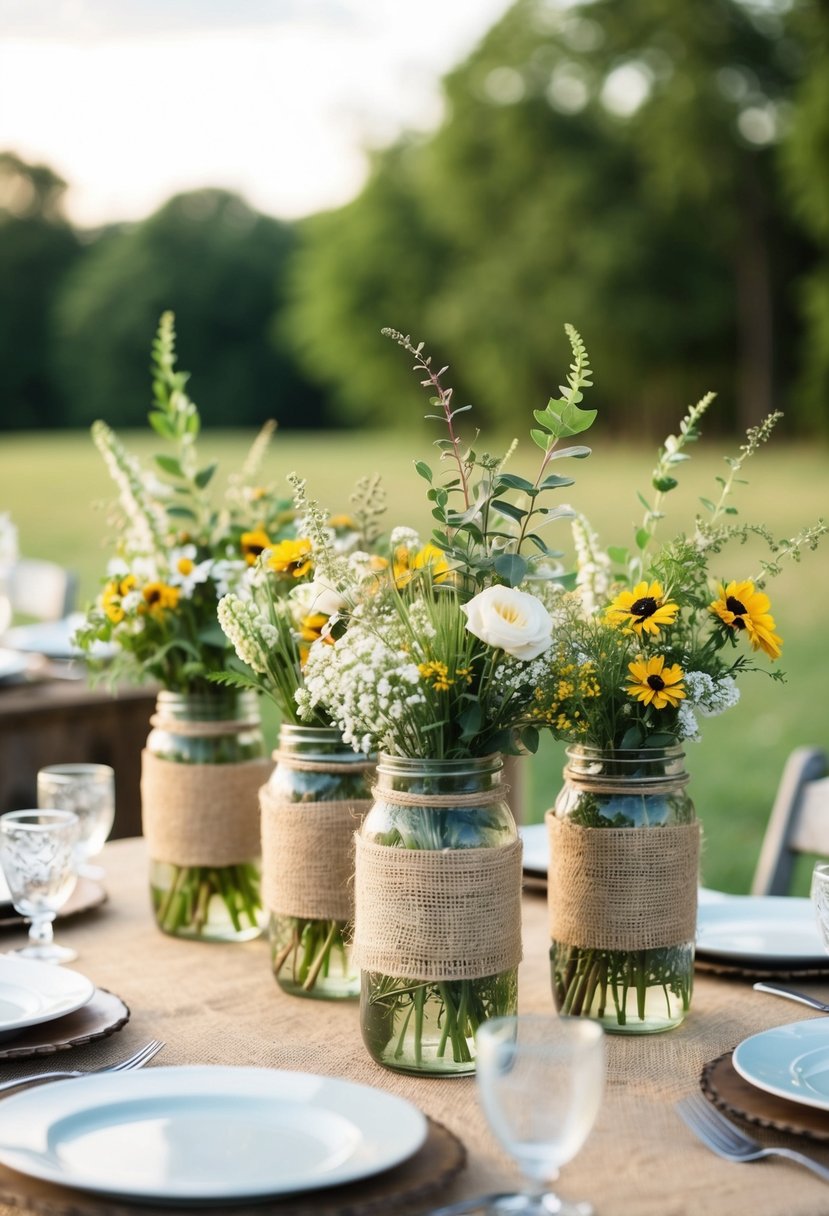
(651, 640)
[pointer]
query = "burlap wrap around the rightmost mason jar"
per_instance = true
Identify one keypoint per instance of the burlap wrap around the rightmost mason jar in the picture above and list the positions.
(623, 888)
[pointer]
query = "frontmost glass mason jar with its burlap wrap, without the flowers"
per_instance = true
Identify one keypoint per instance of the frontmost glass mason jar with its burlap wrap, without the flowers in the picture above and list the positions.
(438, 913)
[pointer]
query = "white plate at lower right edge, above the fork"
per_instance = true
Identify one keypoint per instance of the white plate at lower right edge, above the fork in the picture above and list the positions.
(791, 1062)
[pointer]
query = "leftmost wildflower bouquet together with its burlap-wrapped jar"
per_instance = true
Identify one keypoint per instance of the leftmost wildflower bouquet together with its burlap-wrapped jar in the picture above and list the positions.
(177, 555)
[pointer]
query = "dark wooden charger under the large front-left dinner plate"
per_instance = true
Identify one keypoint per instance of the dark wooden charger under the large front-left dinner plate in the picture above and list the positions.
(432, 1168)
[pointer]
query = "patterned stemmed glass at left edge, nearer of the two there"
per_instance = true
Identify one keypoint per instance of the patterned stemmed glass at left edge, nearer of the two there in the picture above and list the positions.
(38, 858)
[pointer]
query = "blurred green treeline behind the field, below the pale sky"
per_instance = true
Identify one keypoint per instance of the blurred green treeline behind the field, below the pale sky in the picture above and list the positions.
(656, 173)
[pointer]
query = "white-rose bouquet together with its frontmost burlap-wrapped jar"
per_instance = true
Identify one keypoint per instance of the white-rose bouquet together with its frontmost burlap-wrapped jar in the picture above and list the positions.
(435, 671)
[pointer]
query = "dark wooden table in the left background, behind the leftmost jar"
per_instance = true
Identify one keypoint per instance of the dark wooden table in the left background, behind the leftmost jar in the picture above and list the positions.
(63, 722)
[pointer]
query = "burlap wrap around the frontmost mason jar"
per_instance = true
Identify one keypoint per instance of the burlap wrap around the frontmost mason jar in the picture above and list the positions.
(448, 915)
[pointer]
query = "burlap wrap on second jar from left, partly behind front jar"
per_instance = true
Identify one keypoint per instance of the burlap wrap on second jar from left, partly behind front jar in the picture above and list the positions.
(308, 857)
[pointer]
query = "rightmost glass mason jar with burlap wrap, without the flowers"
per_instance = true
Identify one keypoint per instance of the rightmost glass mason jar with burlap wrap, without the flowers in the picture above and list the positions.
(623, 891)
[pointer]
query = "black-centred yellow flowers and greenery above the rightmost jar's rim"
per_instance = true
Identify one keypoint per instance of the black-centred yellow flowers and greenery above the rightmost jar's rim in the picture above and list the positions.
(650, 640)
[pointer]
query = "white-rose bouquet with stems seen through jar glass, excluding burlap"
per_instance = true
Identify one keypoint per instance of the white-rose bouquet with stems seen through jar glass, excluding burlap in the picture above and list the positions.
(433, 660)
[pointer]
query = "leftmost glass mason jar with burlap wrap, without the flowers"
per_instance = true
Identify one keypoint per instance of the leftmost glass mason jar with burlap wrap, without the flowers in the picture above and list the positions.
(202, 768)
